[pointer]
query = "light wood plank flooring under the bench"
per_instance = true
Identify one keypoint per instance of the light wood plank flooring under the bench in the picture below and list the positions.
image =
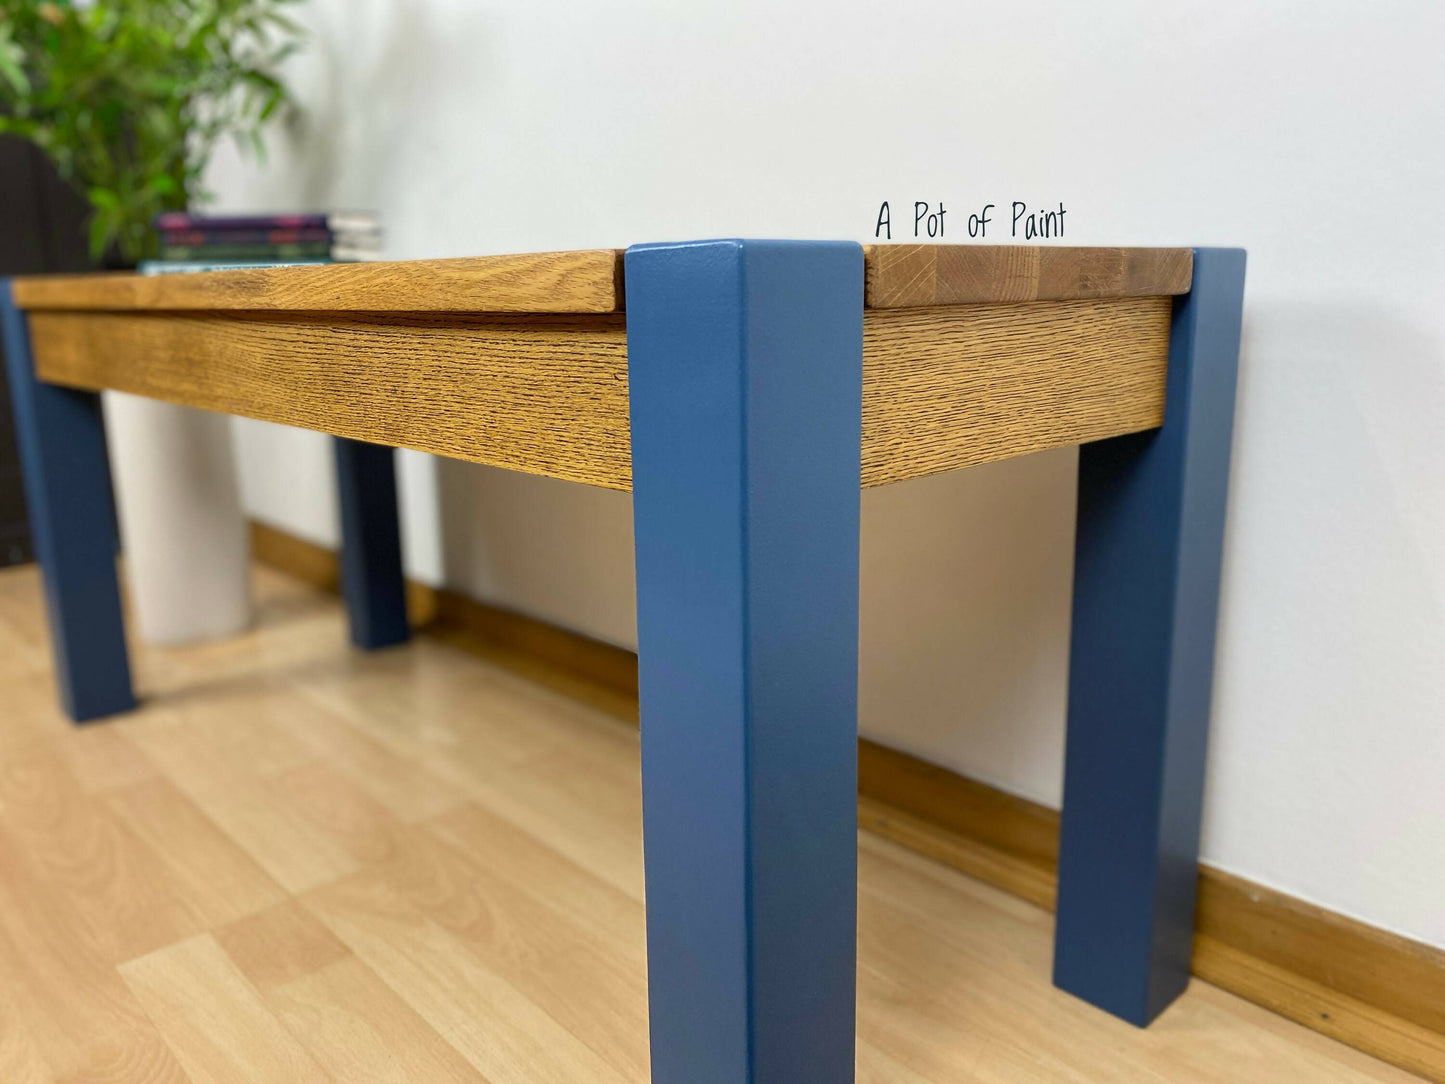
(297, 864)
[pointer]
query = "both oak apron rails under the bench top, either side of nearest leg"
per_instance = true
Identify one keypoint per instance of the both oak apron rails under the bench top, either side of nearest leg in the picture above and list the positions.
(944, 388)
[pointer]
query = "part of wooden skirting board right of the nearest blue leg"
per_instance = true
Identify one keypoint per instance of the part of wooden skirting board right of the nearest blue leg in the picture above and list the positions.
(1363, 986)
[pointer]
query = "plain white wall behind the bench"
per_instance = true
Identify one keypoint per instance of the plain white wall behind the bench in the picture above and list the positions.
(1308, 132)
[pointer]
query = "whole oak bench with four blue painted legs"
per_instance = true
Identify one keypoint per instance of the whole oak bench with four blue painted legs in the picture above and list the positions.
(745, 392)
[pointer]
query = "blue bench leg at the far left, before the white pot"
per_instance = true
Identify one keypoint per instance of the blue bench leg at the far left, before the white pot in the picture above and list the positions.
(73, 528)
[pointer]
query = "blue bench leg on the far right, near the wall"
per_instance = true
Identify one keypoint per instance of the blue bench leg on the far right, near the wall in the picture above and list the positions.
(1151, 533)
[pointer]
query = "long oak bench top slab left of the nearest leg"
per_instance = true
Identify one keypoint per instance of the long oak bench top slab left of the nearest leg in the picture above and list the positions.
(587, 281)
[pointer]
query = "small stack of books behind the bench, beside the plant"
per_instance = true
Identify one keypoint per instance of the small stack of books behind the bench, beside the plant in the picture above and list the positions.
(191, 242)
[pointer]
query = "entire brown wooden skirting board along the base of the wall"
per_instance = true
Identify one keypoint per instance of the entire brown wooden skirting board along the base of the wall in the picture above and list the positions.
(1373, 991)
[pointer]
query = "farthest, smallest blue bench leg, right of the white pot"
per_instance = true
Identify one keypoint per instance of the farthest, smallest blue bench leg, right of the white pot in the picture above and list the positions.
(372, 579)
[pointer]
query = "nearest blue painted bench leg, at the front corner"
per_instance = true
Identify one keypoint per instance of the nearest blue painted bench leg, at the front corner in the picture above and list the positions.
(745, 374)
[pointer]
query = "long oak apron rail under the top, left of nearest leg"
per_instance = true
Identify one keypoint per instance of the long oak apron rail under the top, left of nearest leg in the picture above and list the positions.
(545, 395)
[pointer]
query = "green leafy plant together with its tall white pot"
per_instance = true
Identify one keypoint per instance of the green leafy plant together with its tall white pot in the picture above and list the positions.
(129, 99)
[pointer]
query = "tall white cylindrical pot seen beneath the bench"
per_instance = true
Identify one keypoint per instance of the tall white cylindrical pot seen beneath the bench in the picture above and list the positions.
(183, 530)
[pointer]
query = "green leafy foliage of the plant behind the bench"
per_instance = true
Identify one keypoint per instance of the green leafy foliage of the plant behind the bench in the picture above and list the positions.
(129, 99)
